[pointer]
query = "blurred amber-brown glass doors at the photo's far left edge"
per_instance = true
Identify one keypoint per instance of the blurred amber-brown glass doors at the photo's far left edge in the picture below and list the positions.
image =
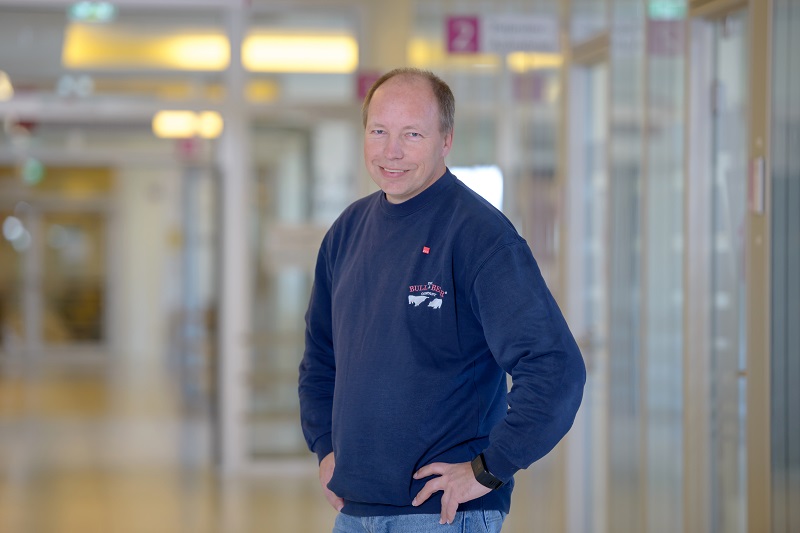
(53, 279)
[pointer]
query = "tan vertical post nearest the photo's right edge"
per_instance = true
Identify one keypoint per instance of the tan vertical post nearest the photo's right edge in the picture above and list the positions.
(762, 501)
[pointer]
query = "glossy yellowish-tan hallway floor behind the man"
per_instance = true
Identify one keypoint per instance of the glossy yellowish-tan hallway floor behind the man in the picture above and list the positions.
(88, 450)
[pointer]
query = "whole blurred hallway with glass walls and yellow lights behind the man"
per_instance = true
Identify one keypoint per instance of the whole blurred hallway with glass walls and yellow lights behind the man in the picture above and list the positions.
(168, 169)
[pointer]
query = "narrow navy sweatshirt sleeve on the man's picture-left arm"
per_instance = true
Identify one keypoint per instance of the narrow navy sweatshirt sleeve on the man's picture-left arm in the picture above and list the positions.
(318, 367)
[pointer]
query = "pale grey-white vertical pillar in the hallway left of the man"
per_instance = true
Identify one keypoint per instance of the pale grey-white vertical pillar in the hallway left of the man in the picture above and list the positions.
(234, 297)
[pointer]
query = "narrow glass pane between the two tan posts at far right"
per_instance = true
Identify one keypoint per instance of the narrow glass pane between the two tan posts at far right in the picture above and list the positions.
(729, 162)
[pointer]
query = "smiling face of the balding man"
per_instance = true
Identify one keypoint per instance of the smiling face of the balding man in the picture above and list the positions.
(404, 149)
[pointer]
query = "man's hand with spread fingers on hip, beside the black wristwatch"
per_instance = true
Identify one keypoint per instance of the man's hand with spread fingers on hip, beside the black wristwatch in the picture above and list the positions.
(457, 482)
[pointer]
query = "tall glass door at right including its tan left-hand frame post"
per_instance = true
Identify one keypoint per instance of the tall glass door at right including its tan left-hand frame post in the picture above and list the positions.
(715, 374)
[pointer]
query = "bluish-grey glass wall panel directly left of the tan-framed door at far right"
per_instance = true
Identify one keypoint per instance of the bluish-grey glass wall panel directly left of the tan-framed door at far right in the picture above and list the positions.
(663, 275)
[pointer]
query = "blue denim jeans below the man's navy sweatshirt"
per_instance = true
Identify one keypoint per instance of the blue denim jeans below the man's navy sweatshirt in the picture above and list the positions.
(465, 522)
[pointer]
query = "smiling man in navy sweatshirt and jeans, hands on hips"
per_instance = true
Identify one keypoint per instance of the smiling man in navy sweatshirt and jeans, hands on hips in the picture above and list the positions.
(424, 298)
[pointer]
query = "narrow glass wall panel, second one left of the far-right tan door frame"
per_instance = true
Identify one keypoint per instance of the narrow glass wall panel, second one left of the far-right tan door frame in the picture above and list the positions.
(626, 496)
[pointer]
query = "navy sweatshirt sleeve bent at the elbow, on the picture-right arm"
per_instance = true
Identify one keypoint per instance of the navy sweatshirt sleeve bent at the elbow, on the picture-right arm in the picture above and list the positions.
(529, 337)
